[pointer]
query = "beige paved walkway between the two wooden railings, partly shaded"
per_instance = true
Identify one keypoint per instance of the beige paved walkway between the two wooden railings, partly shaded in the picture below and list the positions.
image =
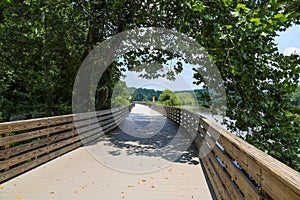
(147, 158)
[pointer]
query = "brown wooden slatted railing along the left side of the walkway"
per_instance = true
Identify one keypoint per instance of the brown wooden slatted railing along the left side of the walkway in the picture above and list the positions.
(29, 143)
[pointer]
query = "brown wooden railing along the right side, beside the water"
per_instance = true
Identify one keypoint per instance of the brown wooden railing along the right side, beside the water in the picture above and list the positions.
(235, 169)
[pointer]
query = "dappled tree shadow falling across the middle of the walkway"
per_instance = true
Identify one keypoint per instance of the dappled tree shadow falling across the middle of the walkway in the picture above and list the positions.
(170, 142)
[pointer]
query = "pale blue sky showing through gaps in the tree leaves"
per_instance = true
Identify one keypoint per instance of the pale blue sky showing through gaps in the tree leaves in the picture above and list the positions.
(288, 42)
